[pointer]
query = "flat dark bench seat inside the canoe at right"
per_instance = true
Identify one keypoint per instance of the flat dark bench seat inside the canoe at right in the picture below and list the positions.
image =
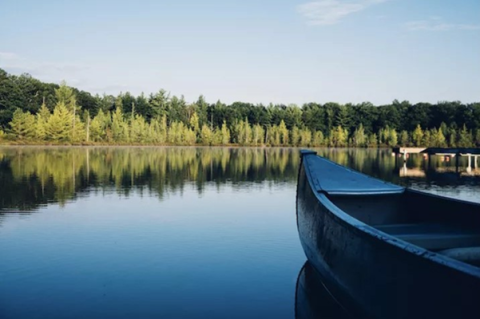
(433, 236)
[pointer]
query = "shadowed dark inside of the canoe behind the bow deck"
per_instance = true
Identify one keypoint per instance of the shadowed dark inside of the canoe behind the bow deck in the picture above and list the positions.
(431, 222)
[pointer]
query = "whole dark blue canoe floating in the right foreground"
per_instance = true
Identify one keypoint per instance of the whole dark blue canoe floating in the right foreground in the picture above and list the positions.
(388, 251)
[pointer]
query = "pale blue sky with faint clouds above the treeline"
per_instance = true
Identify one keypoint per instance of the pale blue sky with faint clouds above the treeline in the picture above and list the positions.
(257, 51)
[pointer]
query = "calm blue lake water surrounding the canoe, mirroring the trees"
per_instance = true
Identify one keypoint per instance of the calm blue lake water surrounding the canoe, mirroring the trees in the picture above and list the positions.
(172, 232)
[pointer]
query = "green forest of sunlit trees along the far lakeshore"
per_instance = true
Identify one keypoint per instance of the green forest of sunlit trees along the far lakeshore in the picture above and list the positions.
(34, 112)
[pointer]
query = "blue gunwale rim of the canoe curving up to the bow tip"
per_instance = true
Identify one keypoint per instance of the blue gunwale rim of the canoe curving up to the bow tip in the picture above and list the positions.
(372, 233)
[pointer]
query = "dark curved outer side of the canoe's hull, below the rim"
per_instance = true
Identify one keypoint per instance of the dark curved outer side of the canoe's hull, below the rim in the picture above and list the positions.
(373, 275)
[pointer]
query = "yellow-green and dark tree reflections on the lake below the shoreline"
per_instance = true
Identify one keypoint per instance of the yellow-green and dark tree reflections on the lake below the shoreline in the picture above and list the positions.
(33, 176)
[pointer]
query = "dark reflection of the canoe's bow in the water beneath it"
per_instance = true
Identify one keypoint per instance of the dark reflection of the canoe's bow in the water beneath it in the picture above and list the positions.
(313, 300)
